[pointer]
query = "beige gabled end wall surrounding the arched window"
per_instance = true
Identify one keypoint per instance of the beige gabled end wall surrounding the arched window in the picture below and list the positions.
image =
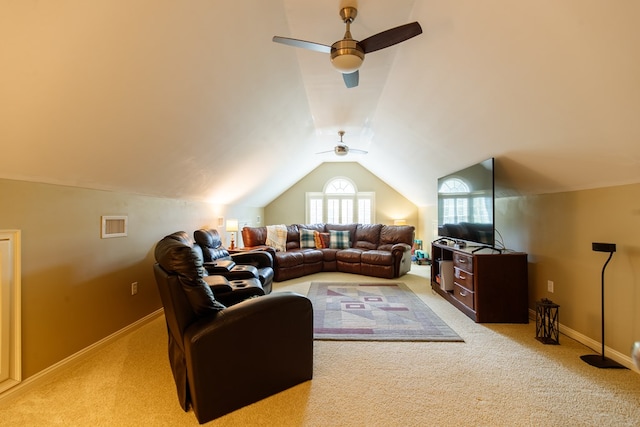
(289, 208)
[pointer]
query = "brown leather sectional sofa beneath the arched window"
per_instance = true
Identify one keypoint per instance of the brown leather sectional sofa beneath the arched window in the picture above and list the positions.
(374, 250)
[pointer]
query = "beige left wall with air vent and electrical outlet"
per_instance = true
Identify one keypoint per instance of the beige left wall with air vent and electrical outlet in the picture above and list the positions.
(75, 285)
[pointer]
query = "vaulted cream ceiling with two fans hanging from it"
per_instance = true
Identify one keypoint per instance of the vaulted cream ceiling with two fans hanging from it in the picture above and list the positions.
(193, 100)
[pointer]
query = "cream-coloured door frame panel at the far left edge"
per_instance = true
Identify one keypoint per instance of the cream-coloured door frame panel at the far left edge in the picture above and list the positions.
(10, 310)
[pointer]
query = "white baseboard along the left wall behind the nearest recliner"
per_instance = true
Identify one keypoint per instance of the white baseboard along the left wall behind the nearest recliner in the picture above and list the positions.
(39, 378)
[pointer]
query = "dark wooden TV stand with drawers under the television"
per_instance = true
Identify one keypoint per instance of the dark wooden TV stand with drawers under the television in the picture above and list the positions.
(488, 286)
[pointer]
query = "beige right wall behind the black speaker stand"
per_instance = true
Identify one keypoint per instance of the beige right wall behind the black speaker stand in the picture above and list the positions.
(557, 230)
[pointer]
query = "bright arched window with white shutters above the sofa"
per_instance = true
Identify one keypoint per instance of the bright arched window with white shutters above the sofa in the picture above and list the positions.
(340, 203)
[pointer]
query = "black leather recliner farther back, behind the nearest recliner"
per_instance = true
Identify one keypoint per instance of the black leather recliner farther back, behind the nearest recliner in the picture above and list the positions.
(242, 265)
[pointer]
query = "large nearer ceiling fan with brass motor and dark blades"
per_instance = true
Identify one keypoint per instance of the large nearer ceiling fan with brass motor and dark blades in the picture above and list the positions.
(348, 54)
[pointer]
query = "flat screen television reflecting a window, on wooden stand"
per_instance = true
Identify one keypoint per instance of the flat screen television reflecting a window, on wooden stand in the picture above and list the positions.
(466, 205)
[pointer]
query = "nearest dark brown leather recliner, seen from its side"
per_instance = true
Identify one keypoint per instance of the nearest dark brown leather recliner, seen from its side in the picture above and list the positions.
(213, 349)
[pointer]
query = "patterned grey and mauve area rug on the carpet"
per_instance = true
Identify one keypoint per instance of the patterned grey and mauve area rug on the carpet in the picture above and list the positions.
(374, 312)
